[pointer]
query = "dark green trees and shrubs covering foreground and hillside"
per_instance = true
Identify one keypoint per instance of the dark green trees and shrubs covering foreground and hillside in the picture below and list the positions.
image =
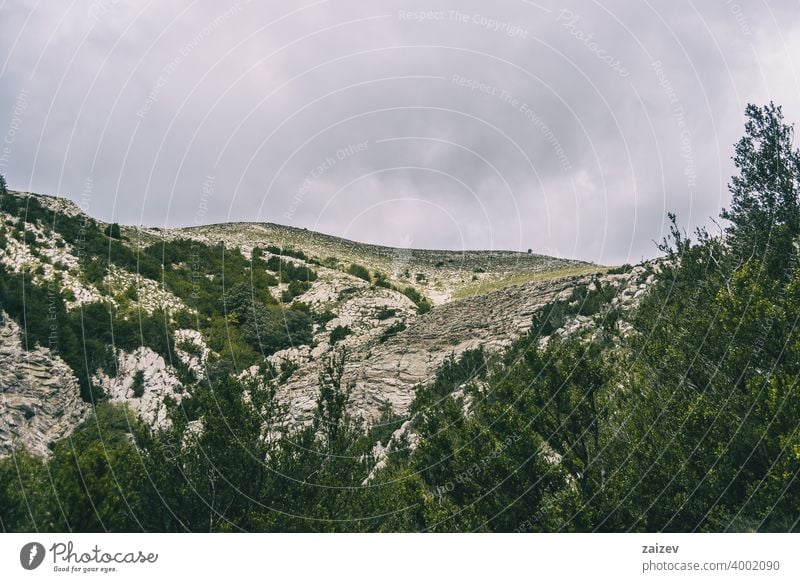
(681, 415)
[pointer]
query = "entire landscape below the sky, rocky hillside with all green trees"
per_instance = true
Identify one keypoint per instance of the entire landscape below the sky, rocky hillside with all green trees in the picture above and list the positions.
(253, 377)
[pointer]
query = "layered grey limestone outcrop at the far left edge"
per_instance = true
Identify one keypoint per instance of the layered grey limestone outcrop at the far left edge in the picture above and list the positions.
(39, 396)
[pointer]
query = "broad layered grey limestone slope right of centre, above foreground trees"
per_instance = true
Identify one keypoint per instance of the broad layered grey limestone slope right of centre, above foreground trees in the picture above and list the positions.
(389, 371)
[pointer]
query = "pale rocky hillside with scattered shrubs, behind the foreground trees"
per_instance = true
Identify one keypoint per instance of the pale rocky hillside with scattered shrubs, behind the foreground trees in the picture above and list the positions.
(93, 311)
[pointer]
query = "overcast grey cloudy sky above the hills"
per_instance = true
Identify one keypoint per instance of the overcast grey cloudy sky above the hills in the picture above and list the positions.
(569, 128)
